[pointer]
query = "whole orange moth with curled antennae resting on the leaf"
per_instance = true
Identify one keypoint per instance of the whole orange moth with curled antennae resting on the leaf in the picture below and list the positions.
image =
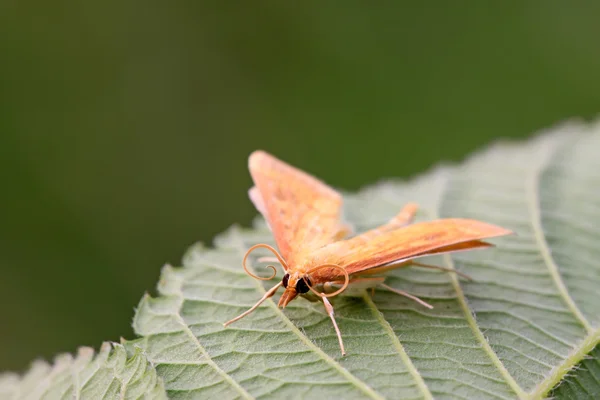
(304, 215)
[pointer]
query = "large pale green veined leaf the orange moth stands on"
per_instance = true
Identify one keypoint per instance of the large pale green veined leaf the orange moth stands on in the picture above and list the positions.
(530, 315)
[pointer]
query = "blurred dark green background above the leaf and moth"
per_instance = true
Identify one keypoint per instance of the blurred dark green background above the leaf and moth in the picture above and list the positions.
(125, 126)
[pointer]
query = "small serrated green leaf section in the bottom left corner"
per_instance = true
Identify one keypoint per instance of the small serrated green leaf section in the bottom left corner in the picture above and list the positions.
(108, 375)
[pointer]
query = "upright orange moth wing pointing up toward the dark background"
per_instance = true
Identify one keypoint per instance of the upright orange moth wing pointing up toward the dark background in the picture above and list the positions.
(302, 212)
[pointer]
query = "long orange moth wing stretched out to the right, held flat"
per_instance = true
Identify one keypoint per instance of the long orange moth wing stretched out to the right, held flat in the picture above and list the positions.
(432, 237)
